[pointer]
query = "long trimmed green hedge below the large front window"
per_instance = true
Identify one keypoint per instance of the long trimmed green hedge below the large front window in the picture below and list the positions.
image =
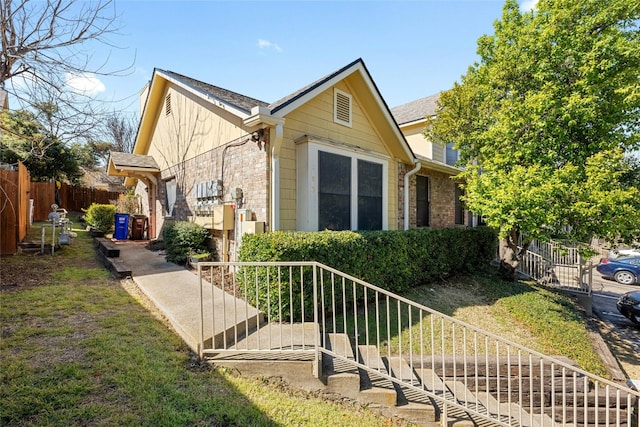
(392, 260)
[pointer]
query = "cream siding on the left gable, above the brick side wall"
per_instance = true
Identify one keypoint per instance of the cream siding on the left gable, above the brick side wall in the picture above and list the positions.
(190, 129)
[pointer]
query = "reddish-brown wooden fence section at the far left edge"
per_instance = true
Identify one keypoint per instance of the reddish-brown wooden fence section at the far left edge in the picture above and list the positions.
(14, 208)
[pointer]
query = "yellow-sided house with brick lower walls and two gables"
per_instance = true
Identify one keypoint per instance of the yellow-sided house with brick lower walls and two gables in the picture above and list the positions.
(328, 156)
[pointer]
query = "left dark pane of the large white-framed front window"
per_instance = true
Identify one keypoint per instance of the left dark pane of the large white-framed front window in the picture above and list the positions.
(334, 191)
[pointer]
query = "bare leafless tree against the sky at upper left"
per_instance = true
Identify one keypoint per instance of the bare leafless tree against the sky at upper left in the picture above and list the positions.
(46, 45)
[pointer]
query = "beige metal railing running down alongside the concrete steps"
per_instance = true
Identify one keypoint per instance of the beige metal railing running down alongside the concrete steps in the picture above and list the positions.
(280, 310)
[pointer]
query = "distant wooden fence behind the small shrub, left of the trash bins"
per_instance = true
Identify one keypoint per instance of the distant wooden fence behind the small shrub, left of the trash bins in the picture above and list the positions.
(69, 197)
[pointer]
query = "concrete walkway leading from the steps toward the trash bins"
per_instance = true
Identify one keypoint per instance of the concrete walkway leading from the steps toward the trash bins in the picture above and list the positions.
(176, 292)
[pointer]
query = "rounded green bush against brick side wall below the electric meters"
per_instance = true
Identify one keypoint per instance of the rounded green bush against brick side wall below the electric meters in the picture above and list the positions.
(182, 238)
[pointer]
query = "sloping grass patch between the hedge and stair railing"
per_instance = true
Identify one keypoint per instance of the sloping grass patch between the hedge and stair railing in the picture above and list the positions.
(520, 312)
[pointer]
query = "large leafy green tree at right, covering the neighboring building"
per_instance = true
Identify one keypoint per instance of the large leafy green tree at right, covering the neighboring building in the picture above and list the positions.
(543, 121)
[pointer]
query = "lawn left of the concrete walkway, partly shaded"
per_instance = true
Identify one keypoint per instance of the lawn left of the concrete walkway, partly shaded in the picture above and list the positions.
(78, 349)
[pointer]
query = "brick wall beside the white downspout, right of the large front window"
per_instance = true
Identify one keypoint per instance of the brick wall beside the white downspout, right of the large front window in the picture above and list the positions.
(441, 195)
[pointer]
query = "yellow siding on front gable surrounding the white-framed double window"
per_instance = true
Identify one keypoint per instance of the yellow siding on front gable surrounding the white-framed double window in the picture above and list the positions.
(316, 119)
